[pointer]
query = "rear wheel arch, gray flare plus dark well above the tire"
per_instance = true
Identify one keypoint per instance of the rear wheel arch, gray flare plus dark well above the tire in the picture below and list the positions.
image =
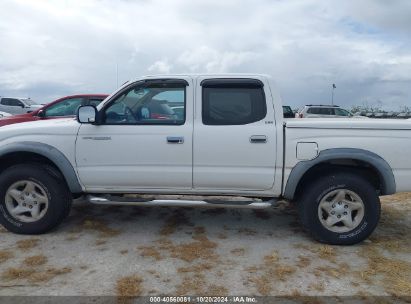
(360, 161)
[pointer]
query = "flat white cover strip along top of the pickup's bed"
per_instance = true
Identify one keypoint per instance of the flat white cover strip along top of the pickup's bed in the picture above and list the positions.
(349, 123)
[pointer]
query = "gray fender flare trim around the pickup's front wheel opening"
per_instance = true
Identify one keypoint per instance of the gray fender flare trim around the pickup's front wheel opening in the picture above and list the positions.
(54, 155)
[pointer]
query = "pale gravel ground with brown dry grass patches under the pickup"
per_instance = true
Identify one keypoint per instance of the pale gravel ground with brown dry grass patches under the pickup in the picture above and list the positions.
(184, 251)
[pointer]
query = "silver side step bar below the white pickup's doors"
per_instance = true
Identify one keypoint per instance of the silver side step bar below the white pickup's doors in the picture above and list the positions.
(213, 203)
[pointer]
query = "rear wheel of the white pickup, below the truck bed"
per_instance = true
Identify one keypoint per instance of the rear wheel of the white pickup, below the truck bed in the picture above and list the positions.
(339, 209)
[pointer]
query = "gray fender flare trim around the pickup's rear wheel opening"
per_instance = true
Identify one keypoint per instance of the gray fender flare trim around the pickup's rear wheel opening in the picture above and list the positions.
(383, 168)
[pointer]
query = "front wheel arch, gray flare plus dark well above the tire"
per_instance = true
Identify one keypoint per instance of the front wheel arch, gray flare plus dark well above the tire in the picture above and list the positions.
(23, 152)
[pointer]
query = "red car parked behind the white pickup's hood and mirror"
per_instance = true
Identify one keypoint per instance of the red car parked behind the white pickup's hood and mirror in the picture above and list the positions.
(63, 107)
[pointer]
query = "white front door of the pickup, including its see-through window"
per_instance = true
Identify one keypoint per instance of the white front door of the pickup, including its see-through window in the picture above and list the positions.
(140, 141)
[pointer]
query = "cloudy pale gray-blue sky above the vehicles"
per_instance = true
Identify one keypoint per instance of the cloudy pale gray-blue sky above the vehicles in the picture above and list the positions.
(49, 49)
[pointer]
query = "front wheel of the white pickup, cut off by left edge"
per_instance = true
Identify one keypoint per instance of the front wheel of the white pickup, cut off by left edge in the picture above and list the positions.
(33, 199)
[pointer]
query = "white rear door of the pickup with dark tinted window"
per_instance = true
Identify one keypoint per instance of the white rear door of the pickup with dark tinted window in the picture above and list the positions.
(235, 138)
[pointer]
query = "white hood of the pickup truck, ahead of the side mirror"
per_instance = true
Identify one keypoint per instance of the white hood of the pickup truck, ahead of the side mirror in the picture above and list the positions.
(53, 127)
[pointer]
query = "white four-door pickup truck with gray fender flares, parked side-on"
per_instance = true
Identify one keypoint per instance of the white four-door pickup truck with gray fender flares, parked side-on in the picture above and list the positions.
(227, 139)
